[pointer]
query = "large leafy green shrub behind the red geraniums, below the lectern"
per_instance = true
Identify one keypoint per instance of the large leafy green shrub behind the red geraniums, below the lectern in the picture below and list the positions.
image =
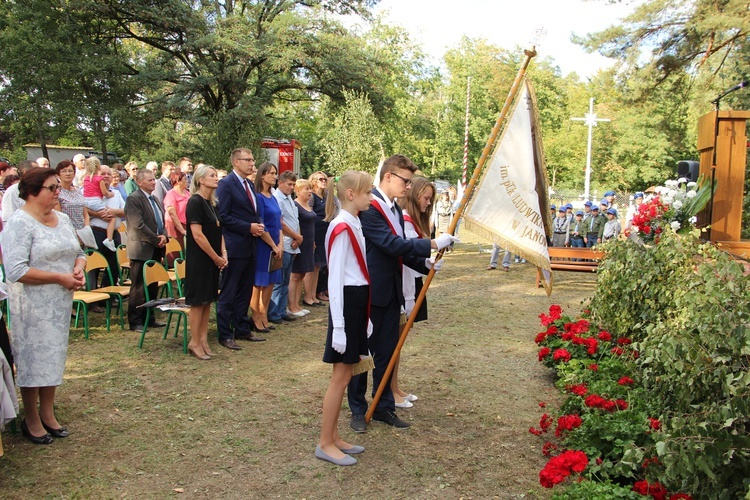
(687, 305)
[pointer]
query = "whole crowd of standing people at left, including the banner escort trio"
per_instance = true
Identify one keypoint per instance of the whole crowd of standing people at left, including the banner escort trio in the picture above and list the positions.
(264, 247)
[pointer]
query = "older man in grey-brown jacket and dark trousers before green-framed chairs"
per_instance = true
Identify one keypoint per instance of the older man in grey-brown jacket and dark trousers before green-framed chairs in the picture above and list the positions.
(147, 238)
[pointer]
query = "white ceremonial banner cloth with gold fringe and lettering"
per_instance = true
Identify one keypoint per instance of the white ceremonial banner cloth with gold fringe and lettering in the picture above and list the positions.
(509, 206)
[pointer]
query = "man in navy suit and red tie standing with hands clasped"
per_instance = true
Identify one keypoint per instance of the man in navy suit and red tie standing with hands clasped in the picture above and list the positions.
(240, 225)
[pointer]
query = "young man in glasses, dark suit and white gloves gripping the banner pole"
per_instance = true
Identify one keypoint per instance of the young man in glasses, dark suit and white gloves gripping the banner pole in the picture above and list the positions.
(387, 251)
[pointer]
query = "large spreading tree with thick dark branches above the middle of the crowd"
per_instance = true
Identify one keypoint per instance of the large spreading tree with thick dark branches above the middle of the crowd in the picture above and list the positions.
(223, 63)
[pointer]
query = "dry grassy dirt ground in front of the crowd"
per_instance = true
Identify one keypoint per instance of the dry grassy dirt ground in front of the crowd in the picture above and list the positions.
(155, 423)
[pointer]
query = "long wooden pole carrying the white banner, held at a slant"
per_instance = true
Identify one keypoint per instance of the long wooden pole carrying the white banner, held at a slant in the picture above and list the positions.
(454, 222)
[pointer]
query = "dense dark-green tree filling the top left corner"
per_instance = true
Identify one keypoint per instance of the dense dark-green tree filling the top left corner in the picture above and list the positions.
(62, 68)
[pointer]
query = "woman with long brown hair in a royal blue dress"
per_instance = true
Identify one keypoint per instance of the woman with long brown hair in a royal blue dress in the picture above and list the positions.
(268, 247)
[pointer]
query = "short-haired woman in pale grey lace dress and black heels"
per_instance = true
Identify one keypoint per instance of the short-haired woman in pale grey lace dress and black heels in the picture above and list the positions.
(44, 265)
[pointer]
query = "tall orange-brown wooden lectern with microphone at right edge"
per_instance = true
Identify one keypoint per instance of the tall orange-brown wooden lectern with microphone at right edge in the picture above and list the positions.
(731, 162)
